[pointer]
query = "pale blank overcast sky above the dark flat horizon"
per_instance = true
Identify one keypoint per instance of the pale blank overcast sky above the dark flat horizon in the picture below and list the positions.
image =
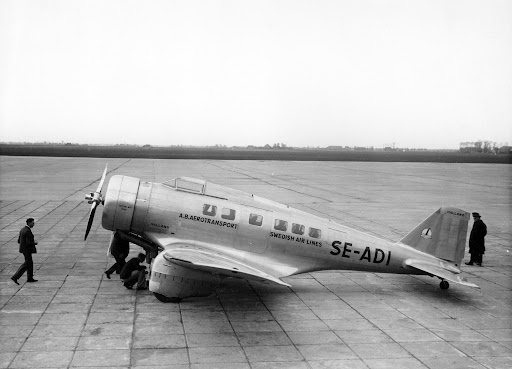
(427, 74)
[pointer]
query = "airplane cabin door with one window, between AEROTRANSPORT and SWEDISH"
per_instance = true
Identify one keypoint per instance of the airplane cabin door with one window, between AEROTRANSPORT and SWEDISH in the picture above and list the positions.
(253, 230)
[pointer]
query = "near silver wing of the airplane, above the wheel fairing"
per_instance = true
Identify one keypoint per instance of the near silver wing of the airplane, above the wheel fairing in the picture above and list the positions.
(216, 262)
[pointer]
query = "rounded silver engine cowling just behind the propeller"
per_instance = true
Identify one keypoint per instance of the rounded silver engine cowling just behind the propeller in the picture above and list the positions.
(120, 203)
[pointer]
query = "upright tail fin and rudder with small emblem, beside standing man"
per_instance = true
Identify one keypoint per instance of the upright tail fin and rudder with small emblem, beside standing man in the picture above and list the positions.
(443, 235)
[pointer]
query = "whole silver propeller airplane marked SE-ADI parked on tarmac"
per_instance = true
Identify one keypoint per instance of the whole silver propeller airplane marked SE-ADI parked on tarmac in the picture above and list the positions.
(197, 233)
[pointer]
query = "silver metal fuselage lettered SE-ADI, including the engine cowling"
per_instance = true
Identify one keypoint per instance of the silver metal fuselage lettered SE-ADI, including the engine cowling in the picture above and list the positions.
(270, 236)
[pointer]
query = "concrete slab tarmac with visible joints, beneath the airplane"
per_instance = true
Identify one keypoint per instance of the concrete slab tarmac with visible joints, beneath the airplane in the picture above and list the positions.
(75, 317)
